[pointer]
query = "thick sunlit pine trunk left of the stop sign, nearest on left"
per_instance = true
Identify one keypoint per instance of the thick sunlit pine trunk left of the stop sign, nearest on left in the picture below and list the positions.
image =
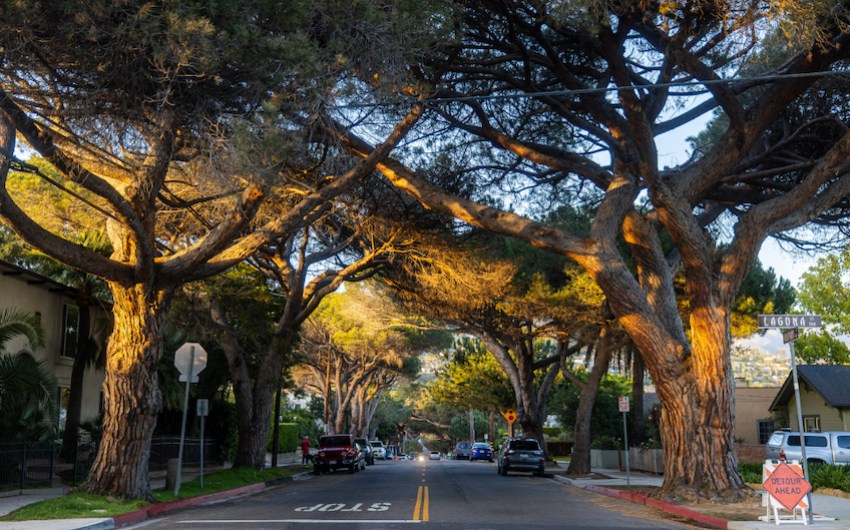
(132, 398)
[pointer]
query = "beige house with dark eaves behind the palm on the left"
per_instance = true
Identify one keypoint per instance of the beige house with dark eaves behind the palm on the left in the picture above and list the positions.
(55, 306)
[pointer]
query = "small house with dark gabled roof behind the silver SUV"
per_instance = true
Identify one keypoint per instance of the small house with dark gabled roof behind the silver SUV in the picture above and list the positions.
(824, 398)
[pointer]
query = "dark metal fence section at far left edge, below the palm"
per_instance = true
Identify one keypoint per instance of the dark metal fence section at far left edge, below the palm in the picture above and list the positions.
(26, 464)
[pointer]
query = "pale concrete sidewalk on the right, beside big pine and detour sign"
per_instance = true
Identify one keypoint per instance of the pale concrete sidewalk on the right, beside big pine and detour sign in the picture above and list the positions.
(831, 513)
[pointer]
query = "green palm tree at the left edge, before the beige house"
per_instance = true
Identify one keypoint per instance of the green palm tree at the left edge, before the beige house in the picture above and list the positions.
(27, 390)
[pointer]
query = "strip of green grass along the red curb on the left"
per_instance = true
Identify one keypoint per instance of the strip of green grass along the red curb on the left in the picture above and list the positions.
(77, 504)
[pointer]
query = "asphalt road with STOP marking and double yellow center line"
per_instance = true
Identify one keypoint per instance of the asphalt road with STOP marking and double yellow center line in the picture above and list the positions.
(405, 494)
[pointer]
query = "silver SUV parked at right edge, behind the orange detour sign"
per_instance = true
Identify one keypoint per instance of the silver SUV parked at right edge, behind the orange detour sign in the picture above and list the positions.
(821, 447)
